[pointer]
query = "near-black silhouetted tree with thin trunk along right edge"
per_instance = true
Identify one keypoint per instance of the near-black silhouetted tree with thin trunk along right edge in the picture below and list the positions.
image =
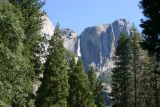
(151, 42)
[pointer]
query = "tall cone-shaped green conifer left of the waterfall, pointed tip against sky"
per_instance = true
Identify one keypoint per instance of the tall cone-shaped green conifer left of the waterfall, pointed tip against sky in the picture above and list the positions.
(53, 91)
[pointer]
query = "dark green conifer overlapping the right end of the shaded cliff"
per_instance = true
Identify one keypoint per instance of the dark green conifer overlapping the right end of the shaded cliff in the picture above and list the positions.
(121, 77)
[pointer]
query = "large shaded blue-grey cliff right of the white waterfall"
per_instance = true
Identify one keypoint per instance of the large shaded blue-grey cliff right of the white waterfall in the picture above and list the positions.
(97, 43)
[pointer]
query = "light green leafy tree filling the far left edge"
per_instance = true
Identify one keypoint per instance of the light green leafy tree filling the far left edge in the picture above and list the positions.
(14, 67)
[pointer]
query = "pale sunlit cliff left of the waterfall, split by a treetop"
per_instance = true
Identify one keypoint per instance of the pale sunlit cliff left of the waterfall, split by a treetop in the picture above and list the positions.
(69, 36)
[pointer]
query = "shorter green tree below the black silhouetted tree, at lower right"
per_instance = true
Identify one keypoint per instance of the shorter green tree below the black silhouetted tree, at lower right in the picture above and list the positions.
(145, 80)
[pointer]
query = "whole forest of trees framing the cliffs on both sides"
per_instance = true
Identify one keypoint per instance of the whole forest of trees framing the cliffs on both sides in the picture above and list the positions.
(65, 82)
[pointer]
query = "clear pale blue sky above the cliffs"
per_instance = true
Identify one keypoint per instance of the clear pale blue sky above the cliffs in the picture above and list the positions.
(79, 14)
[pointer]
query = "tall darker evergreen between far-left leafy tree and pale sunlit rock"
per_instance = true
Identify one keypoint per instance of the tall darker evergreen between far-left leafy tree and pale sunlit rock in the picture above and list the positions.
(31, 23)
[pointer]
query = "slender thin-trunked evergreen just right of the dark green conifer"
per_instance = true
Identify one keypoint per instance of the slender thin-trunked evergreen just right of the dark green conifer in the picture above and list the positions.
(136, 61)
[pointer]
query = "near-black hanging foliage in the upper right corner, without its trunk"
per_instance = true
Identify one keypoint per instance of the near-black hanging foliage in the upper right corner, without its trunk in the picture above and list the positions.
(150, 24)
